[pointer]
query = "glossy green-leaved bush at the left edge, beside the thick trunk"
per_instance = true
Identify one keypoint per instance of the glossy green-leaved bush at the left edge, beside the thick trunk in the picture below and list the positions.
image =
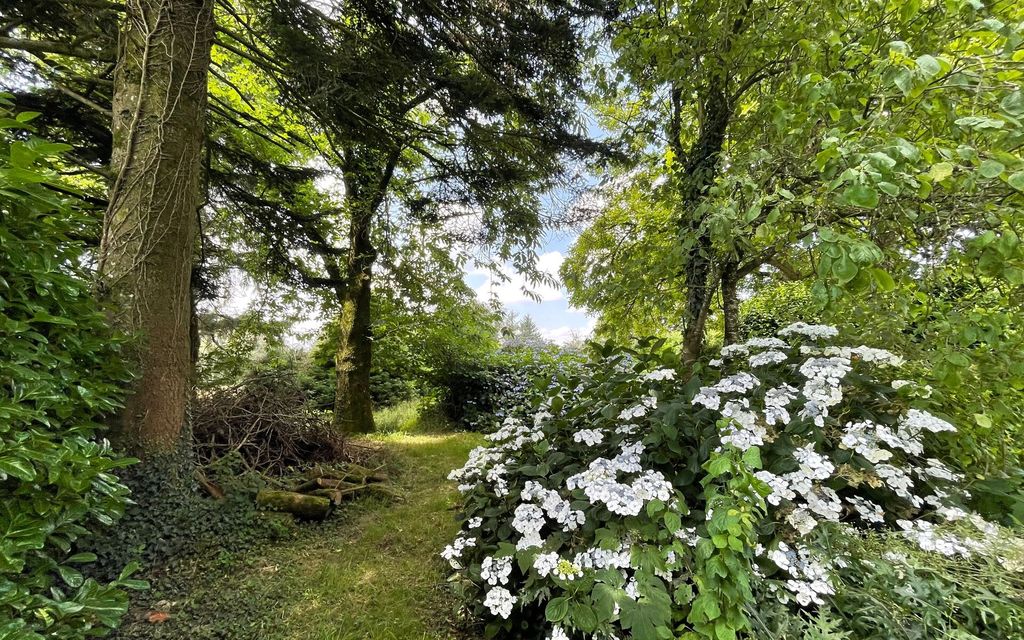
(60, 373)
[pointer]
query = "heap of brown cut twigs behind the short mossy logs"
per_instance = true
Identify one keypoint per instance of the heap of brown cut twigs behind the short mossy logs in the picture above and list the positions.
(269, 421)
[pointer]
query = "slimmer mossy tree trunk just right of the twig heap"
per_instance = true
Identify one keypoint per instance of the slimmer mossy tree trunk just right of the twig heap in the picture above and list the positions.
(353, 406)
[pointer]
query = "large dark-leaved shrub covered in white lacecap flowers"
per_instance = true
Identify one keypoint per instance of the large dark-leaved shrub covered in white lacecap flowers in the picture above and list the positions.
(634, 504)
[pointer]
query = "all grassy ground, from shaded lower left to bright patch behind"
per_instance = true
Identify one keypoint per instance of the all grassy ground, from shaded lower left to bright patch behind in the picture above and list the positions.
(372, 573)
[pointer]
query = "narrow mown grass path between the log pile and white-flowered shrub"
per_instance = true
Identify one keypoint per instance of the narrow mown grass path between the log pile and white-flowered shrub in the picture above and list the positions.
(382, 579)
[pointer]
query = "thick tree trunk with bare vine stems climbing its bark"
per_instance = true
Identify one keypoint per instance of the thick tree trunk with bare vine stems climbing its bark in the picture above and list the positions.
(160, 98)
